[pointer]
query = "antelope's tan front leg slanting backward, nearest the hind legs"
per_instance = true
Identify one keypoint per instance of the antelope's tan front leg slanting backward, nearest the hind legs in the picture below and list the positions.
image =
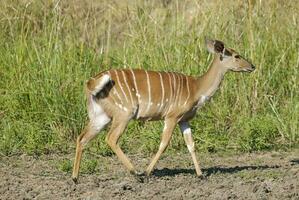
(166, 136)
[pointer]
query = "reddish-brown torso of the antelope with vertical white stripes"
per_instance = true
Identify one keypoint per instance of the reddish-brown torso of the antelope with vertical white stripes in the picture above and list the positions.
(147, 94)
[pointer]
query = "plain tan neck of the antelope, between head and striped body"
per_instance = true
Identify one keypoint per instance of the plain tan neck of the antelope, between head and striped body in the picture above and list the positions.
(208, 83)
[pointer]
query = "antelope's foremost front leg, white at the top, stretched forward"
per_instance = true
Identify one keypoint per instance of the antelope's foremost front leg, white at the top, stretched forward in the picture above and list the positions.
(186, 131)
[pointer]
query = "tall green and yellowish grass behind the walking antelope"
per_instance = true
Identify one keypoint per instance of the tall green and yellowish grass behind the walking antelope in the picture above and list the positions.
(49, 48)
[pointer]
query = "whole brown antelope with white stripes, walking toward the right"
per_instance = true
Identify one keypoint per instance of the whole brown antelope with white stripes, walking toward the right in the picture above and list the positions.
(121, 95)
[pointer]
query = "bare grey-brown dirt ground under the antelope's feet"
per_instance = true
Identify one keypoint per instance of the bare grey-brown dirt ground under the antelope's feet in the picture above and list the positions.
(271, 175)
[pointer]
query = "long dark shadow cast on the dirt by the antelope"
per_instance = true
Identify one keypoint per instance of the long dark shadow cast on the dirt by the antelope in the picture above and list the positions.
(212, 170)
